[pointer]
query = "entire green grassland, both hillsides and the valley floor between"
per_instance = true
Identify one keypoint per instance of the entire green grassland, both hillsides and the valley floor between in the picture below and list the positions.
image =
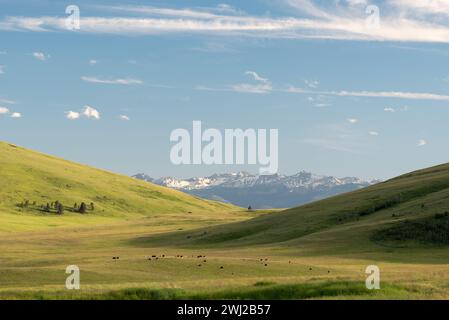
(174, 246)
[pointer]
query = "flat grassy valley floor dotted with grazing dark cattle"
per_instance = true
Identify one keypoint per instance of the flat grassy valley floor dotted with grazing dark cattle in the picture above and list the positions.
(33, 263)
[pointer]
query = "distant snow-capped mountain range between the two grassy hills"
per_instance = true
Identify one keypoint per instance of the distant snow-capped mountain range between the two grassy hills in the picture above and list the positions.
(262, 191)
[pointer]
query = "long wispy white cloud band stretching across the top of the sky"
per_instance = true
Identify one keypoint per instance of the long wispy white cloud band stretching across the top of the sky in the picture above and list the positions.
(401, 21)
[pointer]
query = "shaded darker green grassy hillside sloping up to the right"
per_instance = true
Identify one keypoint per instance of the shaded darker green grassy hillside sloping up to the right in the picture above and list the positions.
(356, 215)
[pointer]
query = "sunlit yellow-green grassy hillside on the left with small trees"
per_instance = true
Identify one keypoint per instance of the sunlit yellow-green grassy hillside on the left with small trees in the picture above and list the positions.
(29, 180)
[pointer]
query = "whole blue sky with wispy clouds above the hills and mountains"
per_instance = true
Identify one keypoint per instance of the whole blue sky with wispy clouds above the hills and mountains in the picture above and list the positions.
(349, 98)
